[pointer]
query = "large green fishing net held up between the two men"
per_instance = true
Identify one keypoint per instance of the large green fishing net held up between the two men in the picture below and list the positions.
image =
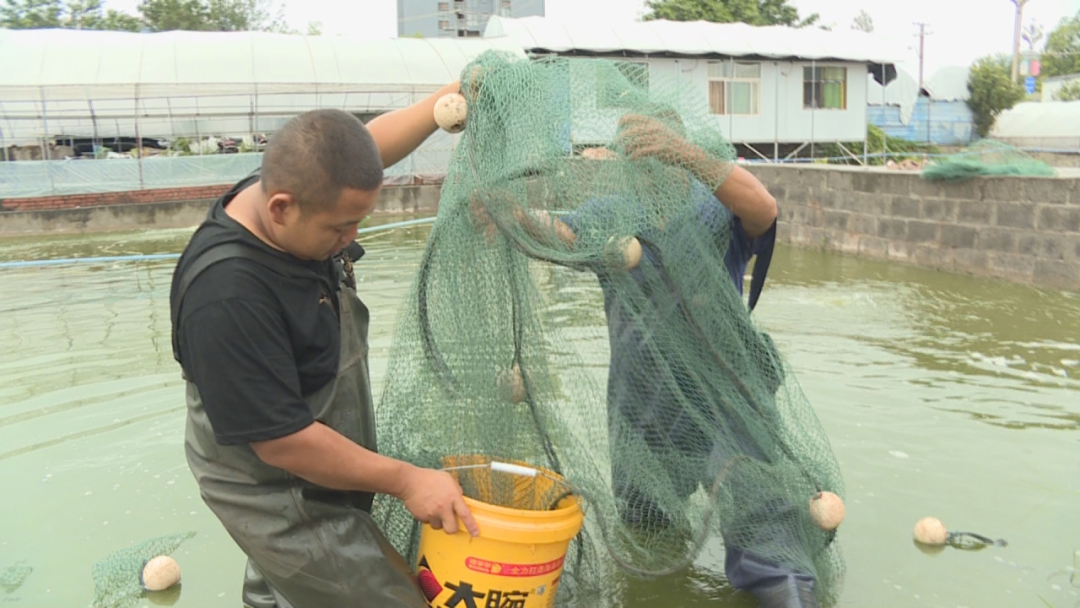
(503, 350)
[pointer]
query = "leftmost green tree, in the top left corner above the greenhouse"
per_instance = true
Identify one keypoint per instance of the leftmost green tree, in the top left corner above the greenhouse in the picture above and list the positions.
(76, 15)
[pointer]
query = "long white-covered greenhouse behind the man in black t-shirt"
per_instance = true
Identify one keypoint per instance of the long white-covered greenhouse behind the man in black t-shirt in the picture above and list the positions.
(128, 112)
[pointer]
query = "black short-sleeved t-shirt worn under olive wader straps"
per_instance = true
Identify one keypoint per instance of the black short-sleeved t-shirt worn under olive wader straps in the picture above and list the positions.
(255, 341)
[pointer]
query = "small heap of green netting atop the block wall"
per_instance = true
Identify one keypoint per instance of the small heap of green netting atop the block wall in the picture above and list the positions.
(987, 158)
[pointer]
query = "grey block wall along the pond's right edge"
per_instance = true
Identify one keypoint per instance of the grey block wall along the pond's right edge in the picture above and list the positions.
(1023, 229)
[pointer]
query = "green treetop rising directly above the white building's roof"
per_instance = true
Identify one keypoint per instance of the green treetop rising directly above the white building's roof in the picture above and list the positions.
(753, 12)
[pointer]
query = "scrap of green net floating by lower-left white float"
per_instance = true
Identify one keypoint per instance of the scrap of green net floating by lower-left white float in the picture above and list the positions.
(117, 582)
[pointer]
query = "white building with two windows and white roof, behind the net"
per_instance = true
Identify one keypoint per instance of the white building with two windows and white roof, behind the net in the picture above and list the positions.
(771, 89)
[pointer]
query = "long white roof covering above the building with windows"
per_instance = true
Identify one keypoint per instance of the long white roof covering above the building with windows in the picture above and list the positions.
(666, 38)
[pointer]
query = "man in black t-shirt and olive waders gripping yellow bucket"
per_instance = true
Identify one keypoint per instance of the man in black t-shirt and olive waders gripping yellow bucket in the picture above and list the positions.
(273, 341)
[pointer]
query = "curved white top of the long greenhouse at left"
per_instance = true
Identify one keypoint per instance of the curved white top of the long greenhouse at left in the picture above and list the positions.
(64, 64)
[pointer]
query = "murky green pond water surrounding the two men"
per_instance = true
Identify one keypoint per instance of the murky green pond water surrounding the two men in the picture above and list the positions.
(942, 395)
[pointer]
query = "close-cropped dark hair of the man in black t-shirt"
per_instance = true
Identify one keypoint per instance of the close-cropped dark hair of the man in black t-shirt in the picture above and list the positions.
(320, 154)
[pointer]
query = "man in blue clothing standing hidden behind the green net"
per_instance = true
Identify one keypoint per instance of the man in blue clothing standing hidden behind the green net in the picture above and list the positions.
(693, 387)
